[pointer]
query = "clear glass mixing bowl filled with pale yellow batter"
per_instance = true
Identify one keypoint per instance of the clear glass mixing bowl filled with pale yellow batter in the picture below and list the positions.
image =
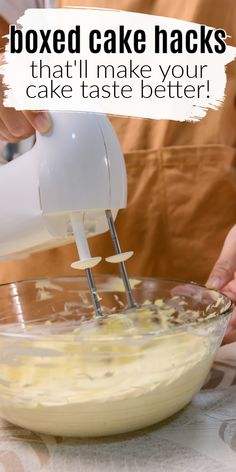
(65, 373)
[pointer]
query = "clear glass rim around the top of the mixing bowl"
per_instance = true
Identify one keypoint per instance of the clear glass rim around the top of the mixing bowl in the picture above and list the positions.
(158, 332)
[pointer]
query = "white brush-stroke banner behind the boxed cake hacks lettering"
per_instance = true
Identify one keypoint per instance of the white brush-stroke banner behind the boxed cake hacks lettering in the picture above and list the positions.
(17, 71)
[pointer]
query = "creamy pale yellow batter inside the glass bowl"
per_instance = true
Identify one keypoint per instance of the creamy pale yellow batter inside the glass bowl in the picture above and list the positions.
(72, 387)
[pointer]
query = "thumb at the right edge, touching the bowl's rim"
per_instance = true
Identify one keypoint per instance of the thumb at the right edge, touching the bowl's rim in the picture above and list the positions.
(225, 267)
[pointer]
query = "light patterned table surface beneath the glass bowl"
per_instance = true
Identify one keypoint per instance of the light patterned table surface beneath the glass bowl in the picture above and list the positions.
(201, 438)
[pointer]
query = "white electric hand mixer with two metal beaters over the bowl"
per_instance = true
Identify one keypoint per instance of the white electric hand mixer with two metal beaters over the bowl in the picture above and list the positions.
(69, 186)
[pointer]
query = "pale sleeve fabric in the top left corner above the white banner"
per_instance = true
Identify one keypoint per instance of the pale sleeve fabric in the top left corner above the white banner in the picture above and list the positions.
(11, 10)
